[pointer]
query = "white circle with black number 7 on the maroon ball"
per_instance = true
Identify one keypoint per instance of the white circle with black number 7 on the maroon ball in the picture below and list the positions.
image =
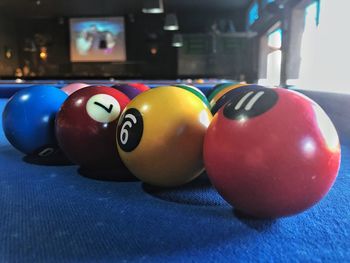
(103, 108)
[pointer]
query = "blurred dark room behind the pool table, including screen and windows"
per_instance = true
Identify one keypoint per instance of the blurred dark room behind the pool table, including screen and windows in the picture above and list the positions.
(301, 43)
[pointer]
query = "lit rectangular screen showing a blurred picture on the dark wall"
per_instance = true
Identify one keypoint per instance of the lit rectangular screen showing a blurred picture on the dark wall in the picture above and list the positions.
(97, 39)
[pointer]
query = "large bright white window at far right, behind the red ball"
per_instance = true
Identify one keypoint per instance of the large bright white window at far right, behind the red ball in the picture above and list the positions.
(325, 52)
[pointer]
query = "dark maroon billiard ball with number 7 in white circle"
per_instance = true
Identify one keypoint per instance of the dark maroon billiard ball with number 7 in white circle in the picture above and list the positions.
(86, 126)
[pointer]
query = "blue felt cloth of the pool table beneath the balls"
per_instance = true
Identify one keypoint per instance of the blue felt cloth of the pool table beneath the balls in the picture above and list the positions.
(53, 214)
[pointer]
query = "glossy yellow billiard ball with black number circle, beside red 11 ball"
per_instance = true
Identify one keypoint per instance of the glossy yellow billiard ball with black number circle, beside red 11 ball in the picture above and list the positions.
(160, 136)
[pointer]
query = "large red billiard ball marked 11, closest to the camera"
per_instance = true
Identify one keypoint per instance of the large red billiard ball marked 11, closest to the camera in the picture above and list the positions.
(271, 152)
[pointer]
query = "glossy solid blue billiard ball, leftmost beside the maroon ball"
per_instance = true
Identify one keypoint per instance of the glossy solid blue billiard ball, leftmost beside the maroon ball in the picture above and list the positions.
(28, 119)
